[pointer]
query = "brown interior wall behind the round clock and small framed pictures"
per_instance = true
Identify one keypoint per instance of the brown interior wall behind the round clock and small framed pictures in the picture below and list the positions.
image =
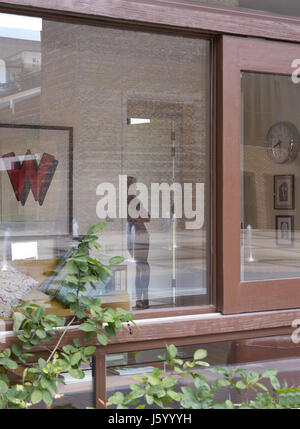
(268, 99)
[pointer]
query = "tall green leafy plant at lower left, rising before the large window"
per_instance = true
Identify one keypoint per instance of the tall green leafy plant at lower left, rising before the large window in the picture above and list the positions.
(33, 327)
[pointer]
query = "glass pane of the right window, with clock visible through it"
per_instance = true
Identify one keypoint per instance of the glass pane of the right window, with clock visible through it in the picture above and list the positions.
(270, 176)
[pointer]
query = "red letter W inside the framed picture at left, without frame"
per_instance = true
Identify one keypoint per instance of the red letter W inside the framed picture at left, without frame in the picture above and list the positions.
(29, 175)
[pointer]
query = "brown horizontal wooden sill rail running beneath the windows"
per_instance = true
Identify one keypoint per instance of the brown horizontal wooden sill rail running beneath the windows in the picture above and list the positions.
(191, 329)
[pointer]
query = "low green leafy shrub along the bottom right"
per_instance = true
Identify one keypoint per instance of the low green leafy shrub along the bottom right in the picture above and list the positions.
(161, 389)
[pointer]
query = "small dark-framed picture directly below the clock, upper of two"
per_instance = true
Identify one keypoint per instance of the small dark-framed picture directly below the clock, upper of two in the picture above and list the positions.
(284, 192)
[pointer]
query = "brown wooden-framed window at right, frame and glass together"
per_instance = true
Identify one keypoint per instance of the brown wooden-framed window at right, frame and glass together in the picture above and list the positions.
(260, 175)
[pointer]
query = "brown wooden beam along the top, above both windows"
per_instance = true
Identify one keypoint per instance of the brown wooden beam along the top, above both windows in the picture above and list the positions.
(171, 13)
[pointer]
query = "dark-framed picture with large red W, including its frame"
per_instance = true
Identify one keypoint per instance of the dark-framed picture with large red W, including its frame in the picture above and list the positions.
(36, 171)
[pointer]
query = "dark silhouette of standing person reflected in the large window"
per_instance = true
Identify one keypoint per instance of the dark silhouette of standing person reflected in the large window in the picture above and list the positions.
(138, 247)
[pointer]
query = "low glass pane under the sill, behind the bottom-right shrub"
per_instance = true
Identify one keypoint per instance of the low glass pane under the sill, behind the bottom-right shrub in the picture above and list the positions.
(258, 354)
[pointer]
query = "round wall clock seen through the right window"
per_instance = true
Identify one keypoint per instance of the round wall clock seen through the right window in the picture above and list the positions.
(283, 142)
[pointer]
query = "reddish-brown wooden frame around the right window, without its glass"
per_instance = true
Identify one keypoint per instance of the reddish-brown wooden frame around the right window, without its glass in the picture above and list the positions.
(257, 55)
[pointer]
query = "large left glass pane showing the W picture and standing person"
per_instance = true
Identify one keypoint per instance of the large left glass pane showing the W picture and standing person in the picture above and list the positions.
(86, 113)
